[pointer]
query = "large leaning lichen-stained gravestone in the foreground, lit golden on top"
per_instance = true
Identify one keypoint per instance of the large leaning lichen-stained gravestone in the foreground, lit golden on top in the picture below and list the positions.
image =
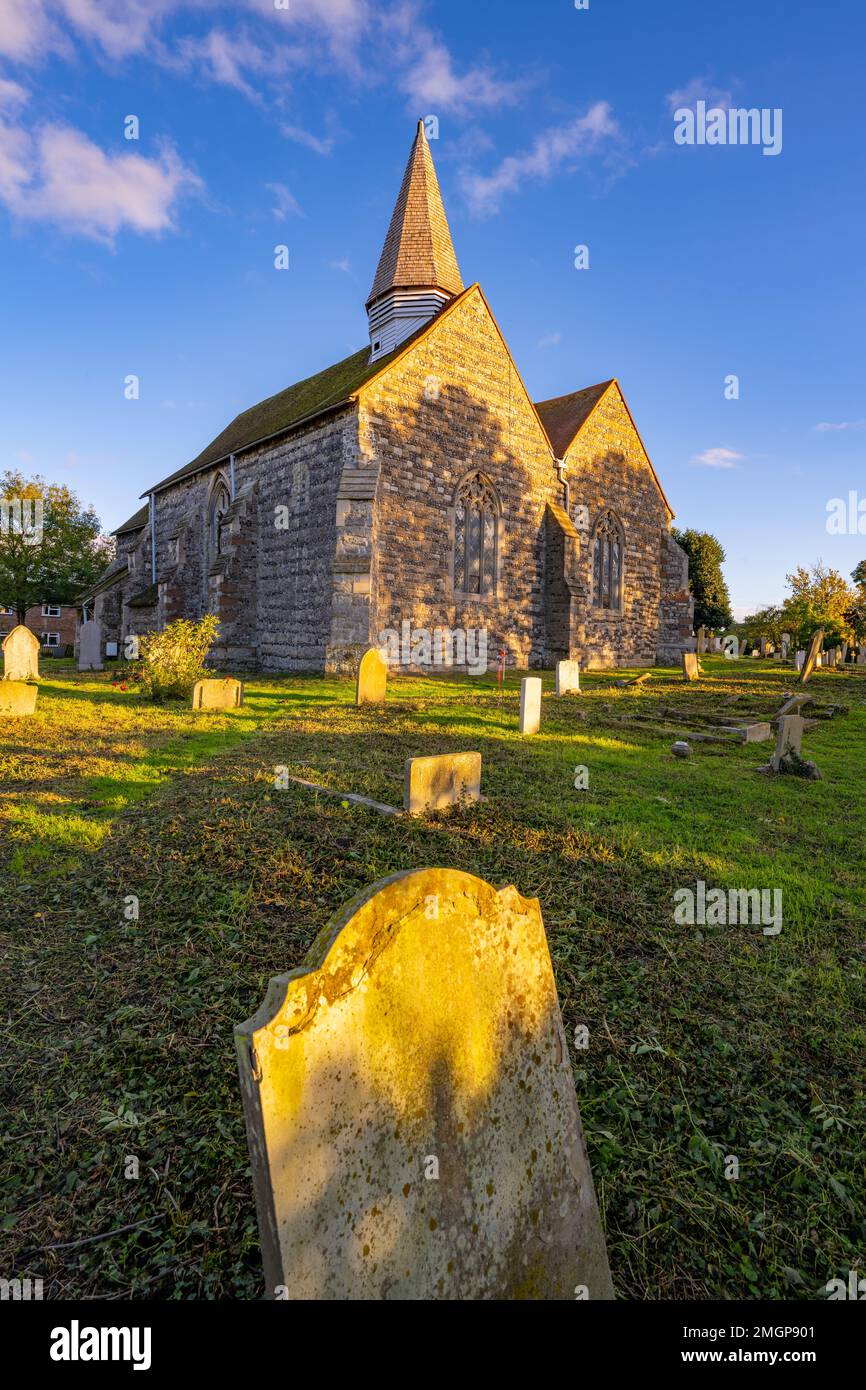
(411, 1107)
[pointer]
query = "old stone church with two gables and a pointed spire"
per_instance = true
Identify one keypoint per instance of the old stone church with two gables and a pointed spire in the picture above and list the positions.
(414, 482)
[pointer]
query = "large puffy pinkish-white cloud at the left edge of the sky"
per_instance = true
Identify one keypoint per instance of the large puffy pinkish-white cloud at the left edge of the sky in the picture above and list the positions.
(60, 176)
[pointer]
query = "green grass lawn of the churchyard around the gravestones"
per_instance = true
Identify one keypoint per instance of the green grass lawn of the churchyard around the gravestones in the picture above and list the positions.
(704, 1042)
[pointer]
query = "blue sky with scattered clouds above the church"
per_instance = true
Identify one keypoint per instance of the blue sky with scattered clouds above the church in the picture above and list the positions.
(265, 126)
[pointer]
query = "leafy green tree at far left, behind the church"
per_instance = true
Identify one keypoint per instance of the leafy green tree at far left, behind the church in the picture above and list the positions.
(59, 559)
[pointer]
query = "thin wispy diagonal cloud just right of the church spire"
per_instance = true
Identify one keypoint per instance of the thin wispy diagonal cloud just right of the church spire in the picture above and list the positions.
(557, 149)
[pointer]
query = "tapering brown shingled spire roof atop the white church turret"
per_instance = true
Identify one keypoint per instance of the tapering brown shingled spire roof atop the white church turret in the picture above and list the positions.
(419, 252)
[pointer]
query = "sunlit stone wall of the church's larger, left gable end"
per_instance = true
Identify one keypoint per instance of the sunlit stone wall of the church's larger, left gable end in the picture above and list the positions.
(451, 407)
